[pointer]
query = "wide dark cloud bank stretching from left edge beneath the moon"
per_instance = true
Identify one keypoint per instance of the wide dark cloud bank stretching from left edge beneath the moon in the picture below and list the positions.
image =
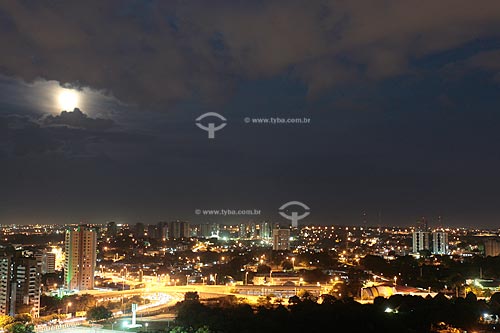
(69, 134)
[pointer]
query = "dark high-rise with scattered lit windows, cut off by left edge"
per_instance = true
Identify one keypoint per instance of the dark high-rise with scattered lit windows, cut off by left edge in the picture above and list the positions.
(20, 282)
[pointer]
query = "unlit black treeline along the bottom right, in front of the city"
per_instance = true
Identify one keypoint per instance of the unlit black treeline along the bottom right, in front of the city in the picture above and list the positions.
(395, 314)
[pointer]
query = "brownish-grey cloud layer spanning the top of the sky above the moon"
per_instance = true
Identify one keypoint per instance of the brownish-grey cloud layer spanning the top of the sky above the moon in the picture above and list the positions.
(159, 52)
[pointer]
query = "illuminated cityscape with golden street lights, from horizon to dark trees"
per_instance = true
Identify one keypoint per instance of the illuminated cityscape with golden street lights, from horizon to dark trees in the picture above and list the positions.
(154, 265)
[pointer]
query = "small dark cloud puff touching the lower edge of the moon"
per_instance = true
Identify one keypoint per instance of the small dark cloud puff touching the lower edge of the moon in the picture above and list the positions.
(78, 119)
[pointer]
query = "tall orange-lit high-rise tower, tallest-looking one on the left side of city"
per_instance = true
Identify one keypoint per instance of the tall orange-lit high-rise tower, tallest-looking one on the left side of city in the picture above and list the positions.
(79, 266)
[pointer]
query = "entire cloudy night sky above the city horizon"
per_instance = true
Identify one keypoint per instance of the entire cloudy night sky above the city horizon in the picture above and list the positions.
(403, 99)
